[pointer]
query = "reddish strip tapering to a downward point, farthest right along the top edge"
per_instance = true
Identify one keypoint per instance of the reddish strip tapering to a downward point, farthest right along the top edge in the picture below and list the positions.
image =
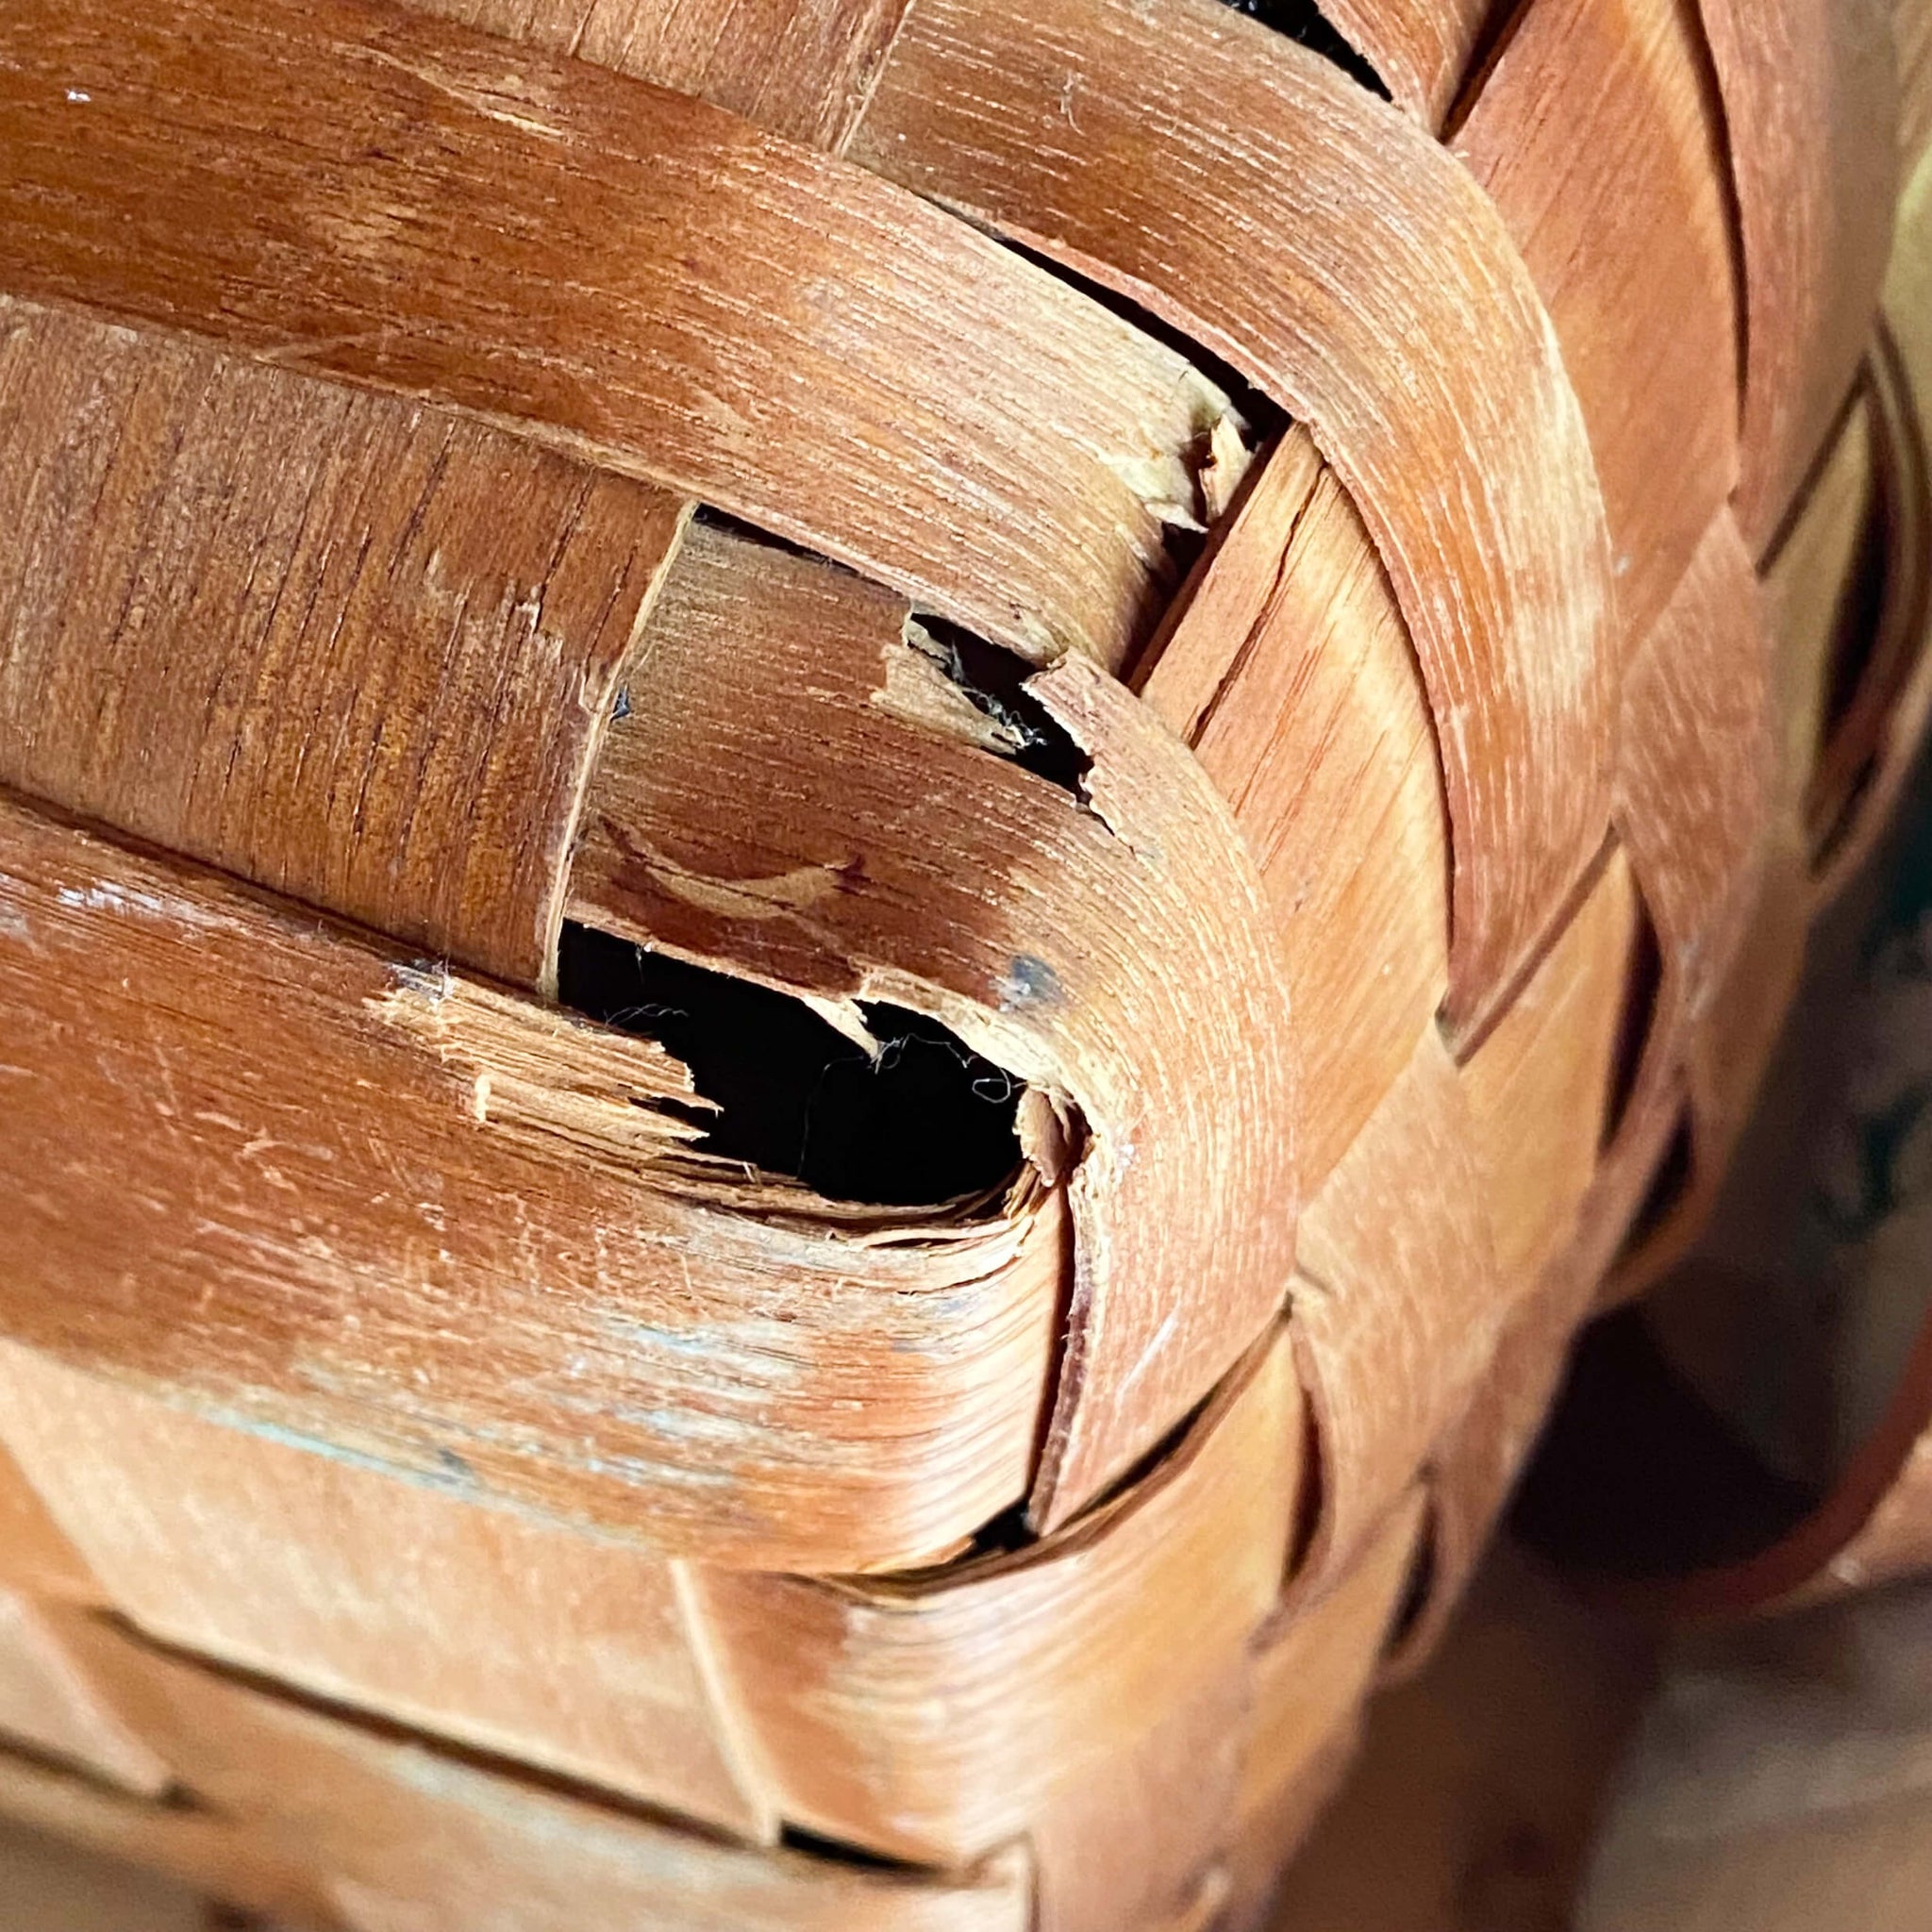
(1811, 99)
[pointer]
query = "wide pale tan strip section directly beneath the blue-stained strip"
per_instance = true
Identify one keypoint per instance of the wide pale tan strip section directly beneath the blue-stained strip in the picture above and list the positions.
(515, 1637)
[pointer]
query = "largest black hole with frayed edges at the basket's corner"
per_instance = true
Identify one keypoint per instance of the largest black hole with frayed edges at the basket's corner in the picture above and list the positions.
(924, 1123)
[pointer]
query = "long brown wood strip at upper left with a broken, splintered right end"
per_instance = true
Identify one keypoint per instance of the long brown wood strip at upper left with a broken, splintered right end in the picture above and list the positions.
(617, 271)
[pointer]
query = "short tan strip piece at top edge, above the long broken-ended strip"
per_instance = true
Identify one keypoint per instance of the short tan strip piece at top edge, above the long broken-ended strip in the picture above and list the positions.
(801, 69)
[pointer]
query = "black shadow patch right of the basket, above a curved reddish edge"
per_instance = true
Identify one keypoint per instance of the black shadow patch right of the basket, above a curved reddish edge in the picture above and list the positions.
(1639, 1477)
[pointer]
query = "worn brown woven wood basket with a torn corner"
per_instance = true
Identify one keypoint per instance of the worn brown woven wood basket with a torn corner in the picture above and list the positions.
(855, 861)
